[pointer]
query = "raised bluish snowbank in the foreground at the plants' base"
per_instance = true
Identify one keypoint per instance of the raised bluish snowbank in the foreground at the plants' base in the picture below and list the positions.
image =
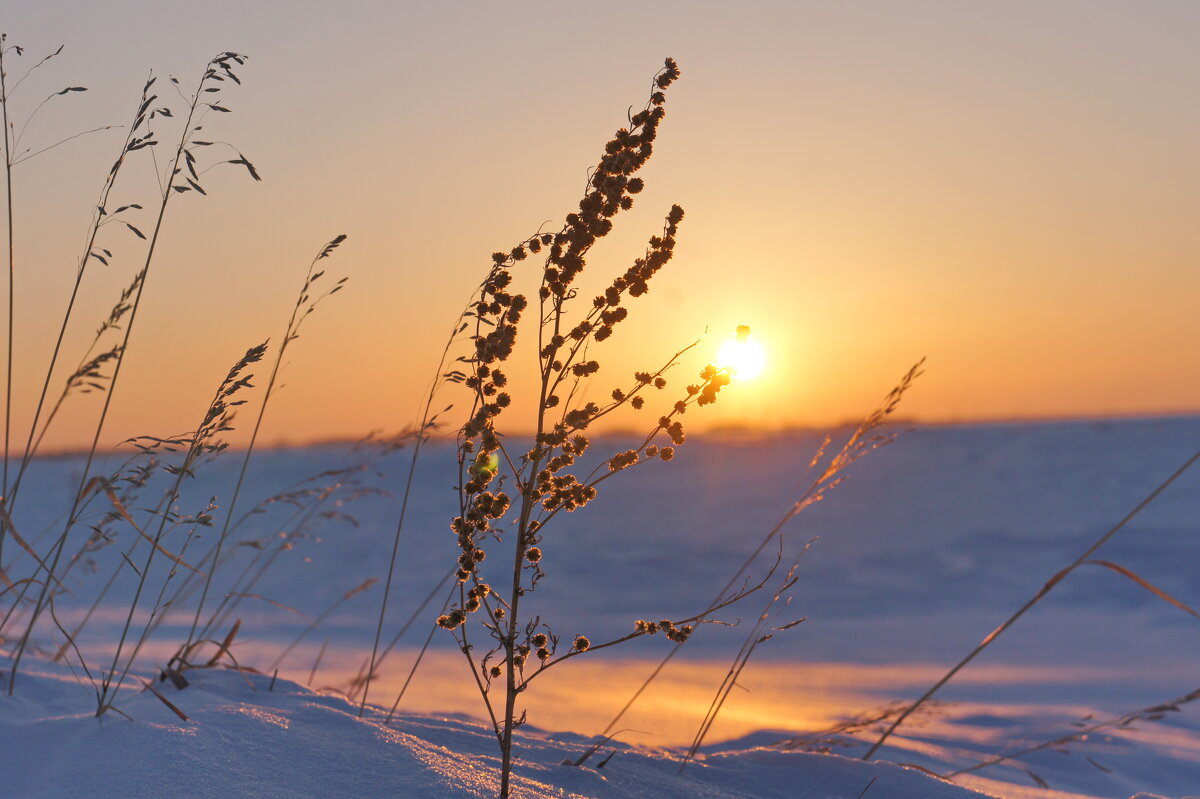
(289, 743)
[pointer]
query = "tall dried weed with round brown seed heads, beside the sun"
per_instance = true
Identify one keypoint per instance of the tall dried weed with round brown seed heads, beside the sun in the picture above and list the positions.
(518, 494)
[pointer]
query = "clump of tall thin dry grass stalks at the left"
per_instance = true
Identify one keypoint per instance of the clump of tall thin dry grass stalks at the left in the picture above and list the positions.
(106, 503)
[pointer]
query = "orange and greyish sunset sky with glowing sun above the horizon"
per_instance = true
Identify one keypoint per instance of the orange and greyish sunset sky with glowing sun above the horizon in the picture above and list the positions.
(1011, 190)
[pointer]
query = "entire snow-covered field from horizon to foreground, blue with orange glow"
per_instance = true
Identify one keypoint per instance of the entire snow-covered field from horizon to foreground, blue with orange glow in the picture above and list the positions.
(931, 544)
